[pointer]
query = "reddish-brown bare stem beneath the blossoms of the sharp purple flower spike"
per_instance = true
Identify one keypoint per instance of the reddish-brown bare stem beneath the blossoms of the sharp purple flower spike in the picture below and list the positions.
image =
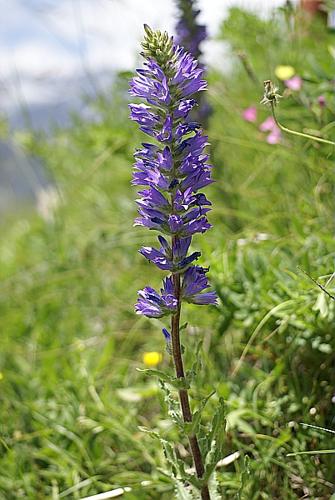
(183, 393)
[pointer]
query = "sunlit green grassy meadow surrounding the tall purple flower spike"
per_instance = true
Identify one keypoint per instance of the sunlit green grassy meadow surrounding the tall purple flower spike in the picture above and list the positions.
(71, 398)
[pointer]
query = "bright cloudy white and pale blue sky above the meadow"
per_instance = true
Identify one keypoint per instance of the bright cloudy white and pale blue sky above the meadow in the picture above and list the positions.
(54, 51)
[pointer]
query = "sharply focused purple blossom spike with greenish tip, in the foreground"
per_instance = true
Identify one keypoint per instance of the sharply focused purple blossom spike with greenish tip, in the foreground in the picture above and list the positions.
(172, 171)
